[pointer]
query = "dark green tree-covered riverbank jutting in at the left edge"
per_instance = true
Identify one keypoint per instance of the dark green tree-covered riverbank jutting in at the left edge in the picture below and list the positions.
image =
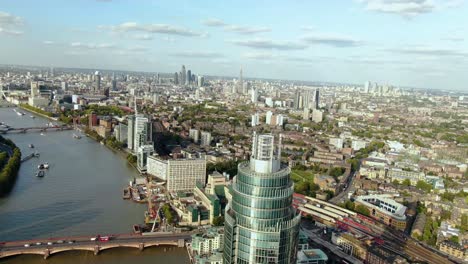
(10, 162)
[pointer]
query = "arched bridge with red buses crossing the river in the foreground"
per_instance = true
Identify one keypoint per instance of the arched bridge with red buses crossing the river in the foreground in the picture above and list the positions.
(47, 247)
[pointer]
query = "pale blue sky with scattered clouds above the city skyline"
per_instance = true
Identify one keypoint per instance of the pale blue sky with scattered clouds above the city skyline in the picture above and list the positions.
(417, 43)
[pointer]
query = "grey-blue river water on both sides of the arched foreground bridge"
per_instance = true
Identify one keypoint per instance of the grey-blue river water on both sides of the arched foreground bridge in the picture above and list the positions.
(81, 194)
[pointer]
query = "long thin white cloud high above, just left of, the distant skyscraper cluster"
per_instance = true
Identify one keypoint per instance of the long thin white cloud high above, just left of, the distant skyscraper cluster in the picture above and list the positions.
(152, 28)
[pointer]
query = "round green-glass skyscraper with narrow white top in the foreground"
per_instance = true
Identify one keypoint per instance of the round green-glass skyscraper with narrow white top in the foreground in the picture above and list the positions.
(261, 226)
